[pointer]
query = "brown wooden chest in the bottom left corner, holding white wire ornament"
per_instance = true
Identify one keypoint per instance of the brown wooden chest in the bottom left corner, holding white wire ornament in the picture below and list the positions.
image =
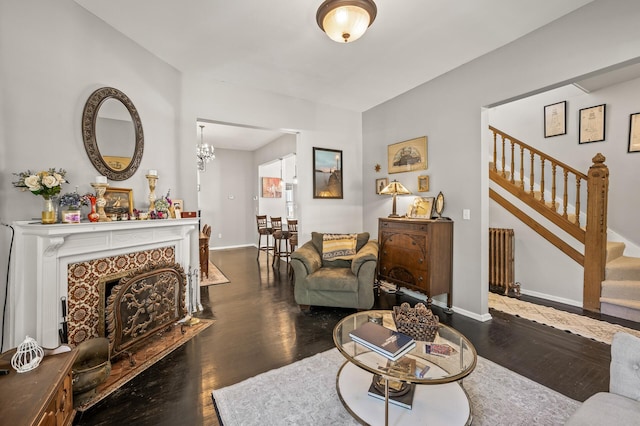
(43, 396)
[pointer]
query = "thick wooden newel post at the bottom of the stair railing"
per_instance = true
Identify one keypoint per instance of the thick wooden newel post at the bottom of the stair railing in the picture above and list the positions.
(595, 245)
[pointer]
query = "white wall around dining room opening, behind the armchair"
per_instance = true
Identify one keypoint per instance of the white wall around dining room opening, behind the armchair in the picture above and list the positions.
(316, 125)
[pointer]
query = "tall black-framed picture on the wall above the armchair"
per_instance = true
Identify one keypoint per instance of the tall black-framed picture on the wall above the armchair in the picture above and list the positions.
(327, 173)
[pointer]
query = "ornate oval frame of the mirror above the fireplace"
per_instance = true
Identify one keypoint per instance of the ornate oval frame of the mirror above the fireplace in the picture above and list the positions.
(89, 118)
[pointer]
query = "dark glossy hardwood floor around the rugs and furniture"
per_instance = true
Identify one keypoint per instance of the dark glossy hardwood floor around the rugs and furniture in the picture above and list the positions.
(259, 327)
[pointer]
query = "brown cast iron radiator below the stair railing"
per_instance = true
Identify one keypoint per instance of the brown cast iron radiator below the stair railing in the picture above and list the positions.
(501, 259)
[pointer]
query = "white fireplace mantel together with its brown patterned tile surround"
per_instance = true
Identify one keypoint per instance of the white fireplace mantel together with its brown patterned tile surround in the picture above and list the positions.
(74, 261)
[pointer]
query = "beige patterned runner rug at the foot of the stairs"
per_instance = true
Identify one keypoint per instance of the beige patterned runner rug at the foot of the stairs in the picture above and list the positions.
(591, 328)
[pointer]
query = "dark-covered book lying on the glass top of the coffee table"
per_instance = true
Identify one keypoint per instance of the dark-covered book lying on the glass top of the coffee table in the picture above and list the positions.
(389, 343)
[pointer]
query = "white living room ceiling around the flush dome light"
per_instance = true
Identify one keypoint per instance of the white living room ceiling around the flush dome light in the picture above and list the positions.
(276, 45)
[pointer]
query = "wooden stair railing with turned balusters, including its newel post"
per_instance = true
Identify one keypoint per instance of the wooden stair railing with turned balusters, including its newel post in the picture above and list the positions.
(556, 191)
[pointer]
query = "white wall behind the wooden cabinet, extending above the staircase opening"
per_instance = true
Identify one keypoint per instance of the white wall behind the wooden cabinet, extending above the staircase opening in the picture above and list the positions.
(448, 111)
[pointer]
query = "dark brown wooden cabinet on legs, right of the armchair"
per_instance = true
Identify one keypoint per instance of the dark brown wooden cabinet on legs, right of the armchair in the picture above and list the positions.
(417, 254)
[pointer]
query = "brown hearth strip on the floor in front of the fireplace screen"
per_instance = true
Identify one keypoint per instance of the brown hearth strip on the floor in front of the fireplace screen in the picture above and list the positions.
(155, 349)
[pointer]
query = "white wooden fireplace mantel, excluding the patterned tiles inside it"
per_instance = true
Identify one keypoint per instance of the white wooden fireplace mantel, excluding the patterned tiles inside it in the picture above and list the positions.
(42, 254)
